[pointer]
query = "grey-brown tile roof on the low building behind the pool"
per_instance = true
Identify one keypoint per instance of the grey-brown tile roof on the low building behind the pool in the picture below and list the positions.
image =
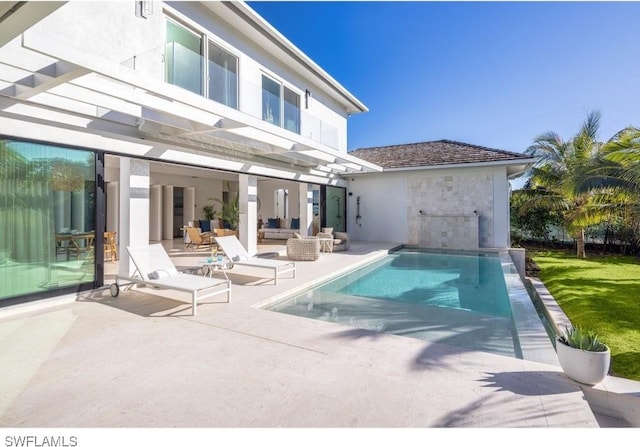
(433, 153)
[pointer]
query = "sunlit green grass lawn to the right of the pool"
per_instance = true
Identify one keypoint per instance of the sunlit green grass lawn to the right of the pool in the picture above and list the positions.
(601, 293)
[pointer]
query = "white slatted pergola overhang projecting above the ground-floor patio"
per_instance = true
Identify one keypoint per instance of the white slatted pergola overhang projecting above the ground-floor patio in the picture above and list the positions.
(42, 80)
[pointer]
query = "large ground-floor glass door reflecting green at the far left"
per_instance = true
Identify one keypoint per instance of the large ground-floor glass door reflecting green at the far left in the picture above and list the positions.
(47, 218)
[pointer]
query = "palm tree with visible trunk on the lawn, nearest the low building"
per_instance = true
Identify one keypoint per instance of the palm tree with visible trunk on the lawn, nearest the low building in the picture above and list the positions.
(564, 172)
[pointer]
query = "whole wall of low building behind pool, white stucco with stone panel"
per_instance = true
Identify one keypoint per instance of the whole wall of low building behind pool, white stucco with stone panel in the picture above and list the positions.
(390, 204)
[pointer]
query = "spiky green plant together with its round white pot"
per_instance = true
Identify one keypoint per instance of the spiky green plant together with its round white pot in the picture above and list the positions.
(582, 356)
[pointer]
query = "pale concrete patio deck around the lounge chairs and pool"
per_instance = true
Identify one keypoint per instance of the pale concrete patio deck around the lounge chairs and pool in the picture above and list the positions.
(141, 360)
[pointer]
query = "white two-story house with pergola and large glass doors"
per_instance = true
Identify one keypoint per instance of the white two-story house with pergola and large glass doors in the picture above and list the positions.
(130, 117)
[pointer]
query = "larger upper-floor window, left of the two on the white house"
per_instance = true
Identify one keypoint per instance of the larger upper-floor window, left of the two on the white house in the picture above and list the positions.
(185, 65)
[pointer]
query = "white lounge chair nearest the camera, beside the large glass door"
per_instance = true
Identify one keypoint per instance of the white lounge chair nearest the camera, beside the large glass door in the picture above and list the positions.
(154, 267)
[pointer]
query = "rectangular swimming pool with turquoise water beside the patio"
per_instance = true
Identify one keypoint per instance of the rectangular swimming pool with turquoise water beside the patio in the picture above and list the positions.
(463, 299)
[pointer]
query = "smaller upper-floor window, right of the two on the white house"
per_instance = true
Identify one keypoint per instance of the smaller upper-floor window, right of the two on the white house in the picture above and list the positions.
(280, 105)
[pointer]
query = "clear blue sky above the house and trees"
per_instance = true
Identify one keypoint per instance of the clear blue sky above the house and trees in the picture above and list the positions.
(495, 74)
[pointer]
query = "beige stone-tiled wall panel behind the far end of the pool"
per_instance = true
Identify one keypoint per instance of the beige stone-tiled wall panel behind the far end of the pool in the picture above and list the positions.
(444, 210)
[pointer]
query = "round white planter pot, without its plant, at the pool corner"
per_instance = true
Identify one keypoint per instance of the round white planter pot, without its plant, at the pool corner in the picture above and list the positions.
(586, 367)
